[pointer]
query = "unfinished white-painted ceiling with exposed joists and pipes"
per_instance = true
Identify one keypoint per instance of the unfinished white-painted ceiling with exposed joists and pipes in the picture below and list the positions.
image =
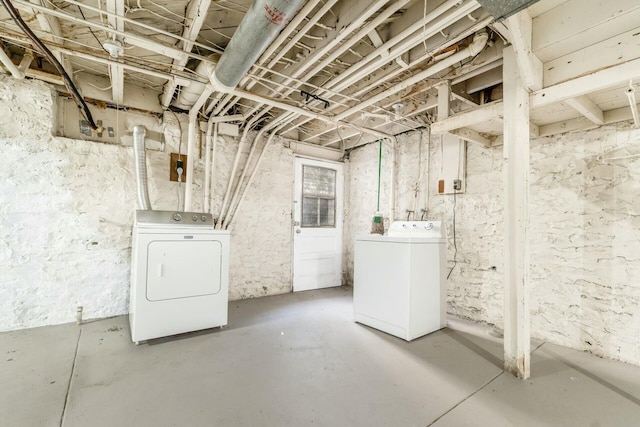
(571, 41)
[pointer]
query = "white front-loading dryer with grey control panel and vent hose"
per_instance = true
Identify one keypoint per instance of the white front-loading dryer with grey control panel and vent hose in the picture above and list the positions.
(179, 274)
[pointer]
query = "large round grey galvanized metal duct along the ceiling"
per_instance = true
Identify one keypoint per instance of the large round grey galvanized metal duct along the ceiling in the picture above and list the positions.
(260, 26)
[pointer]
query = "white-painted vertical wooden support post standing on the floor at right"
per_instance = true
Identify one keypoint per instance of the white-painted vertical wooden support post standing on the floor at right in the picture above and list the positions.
(516, 190)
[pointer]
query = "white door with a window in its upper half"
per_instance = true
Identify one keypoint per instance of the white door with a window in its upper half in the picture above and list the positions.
(317, 225)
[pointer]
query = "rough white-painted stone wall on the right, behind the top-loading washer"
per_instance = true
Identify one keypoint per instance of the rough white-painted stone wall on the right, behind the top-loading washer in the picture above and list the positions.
(585, 233)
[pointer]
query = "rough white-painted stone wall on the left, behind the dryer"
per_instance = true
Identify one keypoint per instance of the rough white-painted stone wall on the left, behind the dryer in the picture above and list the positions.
(66, 213)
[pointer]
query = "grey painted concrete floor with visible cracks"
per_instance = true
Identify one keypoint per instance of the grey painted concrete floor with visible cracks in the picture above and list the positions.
(299, 360)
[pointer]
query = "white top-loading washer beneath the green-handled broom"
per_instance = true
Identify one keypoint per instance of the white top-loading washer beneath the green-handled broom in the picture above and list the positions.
(399, 279)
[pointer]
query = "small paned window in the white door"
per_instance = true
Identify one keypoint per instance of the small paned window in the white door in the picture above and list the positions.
(318, 197)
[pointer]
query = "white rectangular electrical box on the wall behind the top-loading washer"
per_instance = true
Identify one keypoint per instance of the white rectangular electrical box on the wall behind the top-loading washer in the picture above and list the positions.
(454, 156)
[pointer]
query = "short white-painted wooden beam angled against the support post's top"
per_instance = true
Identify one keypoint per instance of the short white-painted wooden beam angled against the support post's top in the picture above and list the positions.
(520, 26)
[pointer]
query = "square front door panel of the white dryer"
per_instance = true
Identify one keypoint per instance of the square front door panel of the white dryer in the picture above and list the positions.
(183, 269)
